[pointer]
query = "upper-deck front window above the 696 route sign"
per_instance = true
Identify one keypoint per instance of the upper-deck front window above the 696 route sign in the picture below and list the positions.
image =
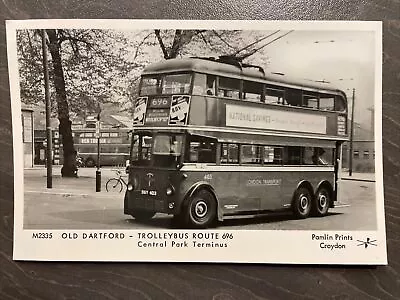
(166, 84)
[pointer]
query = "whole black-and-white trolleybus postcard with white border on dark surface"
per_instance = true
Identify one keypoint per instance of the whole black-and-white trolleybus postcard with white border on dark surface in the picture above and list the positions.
(197, 141)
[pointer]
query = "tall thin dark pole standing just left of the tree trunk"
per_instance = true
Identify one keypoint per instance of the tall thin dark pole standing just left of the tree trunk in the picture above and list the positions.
(49, 158)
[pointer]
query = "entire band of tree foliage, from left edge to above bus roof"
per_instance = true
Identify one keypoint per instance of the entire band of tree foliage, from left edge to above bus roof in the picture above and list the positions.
(103, 66)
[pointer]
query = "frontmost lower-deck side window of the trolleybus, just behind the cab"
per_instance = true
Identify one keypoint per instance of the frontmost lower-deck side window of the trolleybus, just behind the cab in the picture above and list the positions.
(201, 150)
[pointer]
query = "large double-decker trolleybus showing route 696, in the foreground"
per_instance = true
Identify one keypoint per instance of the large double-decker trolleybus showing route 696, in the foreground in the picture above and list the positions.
(215, 138)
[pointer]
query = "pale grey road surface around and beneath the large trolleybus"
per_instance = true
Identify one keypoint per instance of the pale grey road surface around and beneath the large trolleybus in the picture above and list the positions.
(72, 203)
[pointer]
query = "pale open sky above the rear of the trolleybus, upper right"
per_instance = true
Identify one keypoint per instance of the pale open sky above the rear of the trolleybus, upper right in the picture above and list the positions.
(346, 59)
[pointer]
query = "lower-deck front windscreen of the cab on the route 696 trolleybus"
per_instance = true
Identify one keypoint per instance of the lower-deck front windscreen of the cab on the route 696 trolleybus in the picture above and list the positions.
(160, 150)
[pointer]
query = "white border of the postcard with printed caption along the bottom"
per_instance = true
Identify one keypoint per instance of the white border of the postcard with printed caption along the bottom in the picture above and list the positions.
(275, 246)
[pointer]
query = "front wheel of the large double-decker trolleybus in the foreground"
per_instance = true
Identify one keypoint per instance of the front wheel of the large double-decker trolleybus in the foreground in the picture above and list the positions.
(201, 210)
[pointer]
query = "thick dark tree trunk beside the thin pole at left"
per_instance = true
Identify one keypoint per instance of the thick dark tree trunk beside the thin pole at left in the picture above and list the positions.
(69, 153)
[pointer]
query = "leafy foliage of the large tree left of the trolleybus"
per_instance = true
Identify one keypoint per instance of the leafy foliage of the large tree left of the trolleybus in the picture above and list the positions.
(94, 64)
